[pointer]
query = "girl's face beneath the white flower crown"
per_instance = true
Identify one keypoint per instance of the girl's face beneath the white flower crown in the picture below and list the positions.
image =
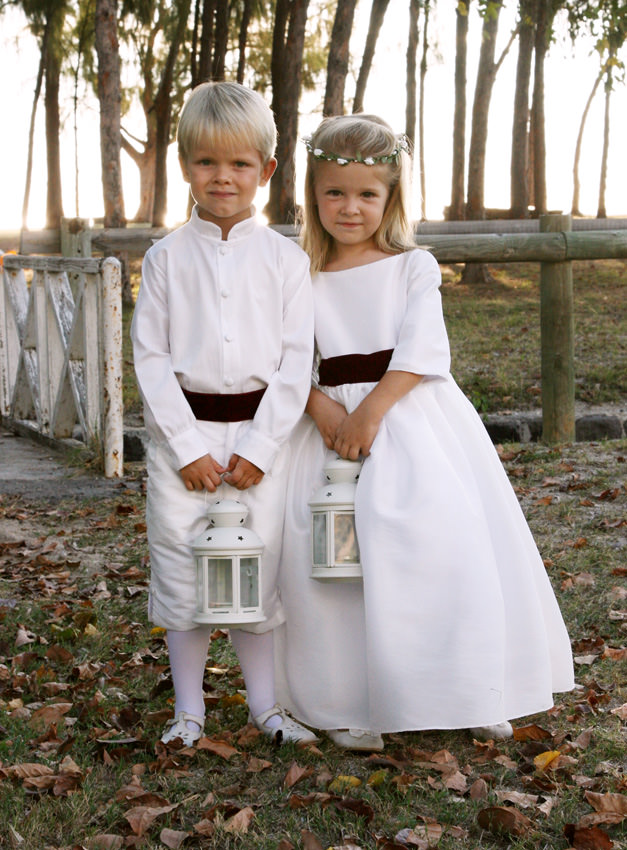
(351, 200)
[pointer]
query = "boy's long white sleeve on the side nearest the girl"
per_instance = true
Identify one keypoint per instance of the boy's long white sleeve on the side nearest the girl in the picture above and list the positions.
(288, 388)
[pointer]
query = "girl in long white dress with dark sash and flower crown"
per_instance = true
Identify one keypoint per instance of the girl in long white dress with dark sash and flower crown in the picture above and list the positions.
(455, 624)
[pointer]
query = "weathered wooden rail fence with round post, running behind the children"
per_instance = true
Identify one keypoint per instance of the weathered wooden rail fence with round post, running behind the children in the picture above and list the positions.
(554, 241)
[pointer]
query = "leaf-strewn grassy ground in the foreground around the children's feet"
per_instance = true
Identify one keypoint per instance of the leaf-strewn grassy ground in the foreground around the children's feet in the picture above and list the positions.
(85, 690)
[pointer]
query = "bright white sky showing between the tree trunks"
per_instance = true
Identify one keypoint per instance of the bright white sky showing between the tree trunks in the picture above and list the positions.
(569, 79)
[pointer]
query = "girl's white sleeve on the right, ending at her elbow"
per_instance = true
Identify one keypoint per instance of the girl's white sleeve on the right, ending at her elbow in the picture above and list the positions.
(423, 346)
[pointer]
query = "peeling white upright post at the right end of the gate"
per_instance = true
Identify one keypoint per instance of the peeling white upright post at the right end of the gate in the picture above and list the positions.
(113, 419)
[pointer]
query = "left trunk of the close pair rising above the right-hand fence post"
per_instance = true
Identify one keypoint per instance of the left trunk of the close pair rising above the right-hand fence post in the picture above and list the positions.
(520, 128)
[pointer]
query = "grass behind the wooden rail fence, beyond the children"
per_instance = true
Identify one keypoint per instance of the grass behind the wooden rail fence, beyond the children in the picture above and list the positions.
(494, 332)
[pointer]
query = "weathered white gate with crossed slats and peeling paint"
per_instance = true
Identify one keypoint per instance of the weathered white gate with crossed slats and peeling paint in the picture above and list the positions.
(61, 349)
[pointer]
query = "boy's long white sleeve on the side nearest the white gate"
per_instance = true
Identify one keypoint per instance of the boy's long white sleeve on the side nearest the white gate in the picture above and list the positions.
(164, 403)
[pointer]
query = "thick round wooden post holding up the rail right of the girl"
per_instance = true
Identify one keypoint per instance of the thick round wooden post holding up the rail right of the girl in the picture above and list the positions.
(557, 330)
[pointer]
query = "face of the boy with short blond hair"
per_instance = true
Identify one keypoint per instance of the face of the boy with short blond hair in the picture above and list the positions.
(223, 181)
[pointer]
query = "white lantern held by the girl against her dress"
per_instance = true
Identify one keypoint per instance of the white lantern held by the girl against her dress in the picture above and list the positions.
(335, 550)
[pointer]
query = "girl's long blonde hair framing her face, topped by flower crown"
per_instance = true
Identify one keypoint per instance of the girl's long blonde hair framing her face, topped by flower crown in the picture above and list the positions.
(359, 137)
